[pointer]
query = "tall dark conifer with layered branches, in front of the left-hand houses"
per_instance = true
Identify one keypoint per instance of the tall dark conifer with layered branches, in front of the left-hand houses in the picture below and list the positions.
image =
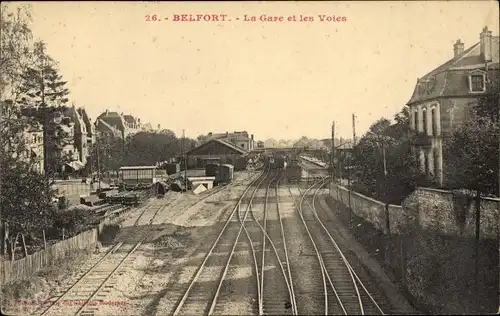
(43, 96)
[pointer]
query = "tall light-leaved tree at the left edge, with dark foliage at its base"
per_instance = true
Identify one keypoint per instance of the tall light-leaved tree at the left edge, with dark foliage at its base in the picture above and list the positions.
(29, 209)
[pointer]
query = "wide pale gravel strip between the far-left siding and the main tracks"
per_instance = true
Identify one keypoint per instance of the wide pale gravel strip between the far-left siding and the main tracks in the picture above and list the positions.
(164, 266)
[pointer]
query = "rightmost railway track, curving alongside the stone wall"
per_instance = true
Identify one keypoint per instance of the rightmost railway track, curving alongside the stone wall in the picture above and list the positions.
(344, 291)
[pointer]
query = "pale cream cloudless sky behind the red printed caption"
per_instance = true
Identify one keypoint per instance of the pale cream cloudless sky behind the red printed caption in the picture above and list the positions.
(279, 80)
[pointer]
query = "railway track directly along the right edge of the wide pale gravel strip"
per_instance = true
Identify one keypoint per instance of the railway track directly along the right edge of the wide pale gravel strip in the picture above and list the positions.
(202, 293)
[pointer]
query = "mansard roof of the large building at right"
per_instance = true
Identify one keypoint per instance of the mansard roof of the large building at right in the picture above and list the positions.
(450, 78)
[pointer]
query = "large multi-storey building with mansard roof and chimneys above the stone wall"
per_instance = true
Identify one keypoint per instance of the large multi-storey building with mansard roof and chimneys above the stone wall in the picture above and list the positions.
(442, 98)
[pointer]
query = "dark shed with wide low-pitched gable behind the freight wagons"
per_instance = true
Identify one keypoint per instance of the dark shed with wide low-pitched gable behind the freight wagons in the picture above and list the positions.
(221, 151)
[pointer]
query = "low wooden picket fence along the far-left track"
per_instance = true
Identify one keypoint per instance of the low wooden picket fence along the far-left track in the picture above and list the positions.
(28, 266)
